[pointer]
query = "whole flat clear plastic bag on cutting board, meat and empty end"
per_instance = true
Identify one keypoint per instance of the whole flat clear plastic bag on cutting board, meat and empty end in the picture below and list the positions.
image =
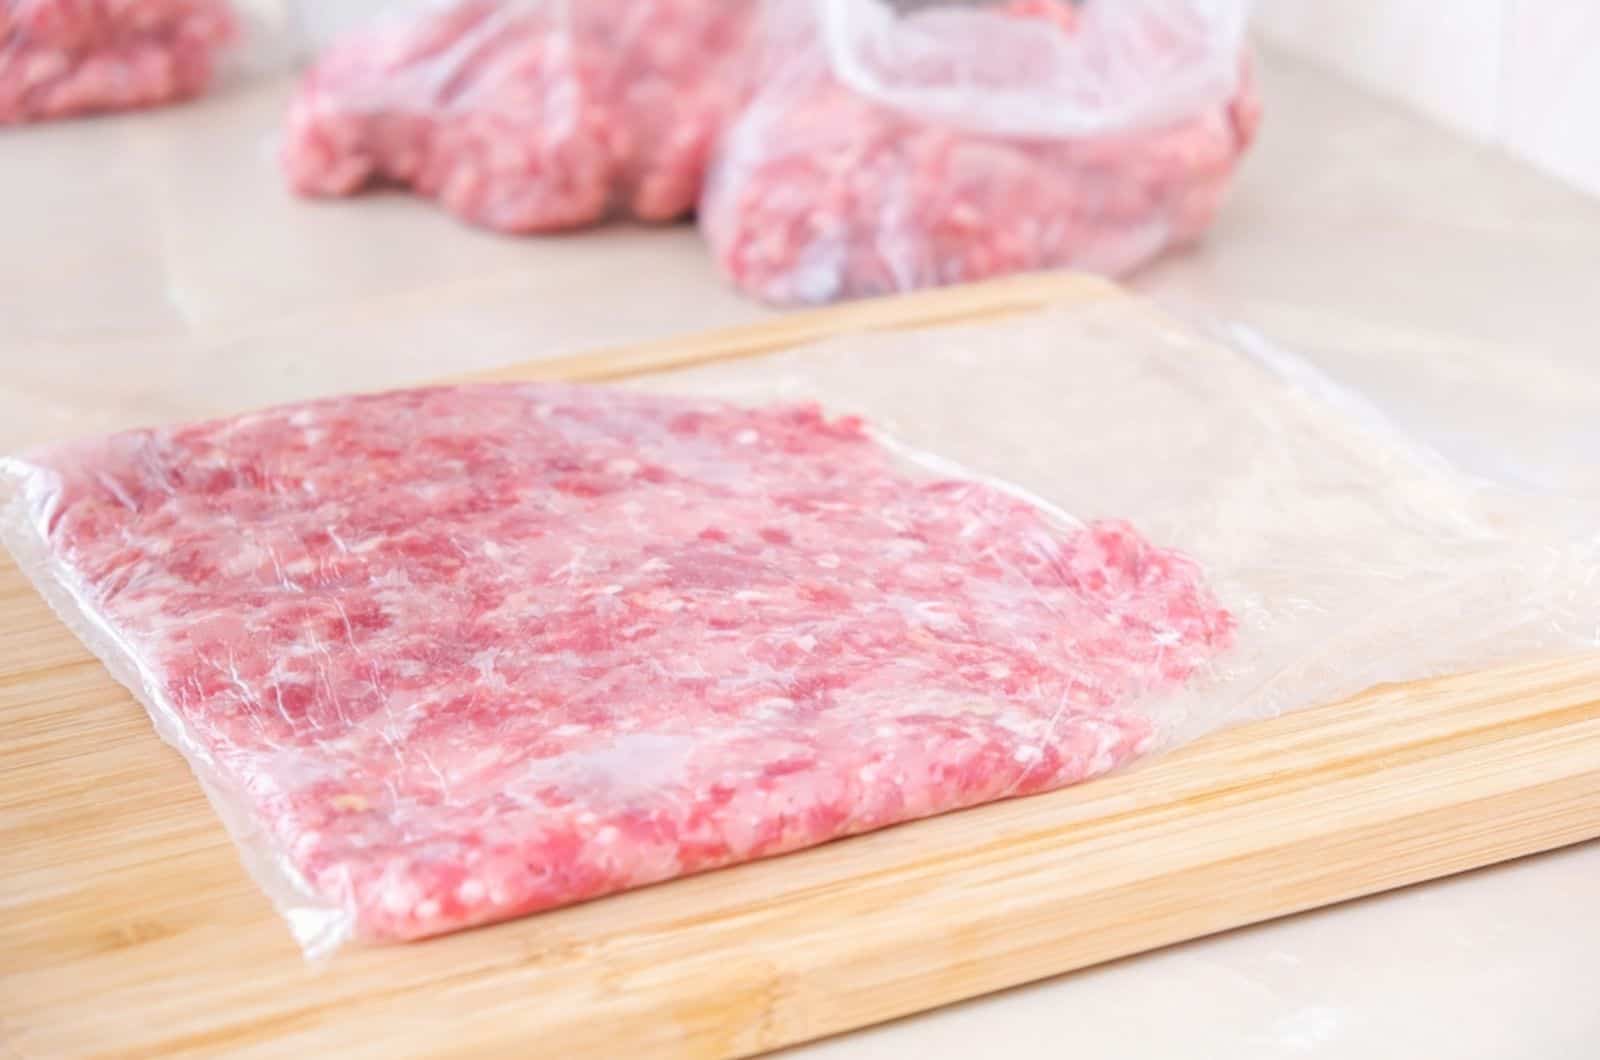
(452, 656)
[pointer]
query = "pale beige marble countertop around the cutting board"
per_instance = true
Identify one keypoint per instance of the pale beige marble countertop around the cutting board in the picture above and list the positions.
(153, 268)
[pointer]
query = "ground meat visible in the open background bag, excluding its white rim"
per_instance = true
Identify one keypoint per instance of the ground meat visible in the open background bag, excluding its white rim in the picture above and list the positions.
(823, 193)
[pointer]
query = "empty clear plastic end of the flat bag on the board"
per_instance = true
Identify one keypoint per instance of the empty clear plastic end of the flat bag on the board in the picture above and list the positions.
(1350, 553)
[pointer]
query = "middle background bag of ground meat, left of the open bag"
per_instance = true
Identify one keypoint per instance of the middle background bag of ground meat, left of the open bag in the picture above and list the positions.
(526, 116)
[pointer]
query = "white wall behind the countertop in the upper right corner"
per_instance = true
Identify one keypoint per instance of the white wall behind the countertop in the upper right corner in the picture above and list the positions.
(1524, 74)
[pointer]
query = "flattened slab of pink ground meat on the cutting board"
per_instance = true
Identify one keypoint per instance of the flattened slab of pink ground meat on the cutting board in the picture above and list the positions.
(470, 652)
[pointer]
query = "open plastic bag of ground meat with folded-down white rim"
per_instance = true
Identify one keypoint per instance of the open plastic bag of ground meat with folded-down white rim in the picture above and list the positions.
(890, 150)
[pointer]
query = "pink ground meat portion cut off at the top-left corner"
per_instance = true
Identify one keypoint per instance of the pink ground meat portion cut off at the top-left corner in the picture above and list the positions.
(62, 58)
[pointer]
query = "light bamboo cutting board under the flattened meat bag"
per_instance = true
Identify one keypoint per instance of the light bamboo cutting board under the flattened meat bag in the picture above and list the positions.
(129, 928)
